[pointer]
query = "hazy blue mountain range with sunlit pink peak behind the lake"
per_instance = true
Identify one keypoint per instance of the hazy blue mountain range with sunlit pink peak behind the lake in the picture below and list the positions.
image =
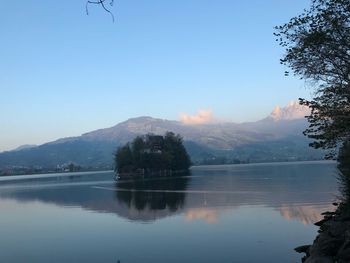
(278, 137)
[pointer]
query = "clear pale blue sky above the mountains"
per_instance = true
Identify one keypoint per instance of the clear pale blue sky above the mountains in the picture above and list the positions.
(64, 73)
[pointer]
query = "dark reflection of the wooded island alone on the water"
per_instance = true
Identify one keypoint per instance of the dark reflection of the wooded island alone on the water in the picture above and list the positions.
(154, 194)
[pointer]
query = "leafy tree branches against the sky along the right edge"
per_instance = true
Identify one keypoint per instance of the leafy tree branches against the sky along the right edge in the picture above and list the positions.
(317, 45)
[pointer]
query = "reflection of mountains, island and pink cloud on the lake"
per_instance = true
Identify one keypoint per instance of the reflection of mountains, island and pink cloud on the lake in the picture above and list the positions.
(204, 196)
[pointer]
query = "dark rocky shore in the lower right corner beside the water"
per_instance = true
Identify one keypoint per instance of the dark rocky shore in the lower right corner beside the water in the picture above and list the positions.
(333, 241)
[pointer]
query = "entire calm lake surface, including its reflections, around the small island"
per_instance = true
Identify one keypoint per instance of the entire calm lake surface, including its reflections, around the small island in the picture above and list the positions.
(242, 213)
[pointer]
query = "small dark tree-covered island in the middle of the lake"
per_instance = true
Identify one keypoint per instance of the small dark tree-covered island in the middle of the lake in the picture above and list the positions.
(152, 155)
